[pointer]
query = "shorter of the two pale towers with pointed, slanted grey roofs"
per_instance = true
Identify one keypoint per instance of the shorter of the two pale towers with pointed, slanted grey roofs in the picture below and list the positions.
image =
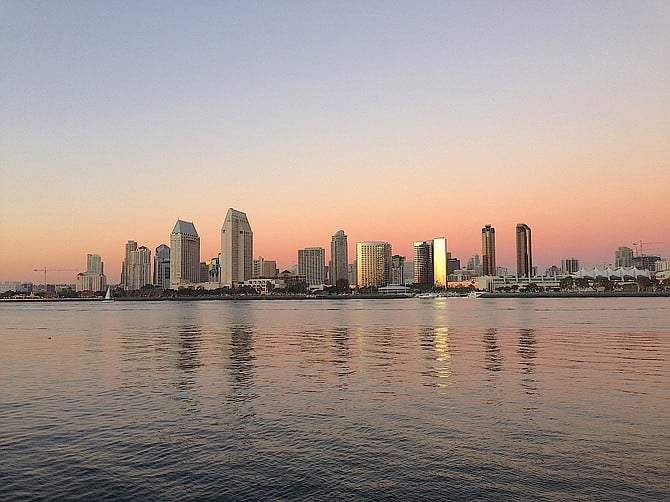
(184, 255)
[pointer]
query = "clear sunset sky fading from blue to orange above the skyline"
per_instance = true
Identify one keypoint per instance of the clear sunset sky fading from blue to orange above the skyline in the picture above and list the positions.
(396, 121)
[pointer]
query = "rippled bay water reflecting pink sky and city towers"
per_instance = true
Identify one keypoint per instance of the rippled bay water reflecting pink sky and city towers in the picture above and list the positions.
(347, 399)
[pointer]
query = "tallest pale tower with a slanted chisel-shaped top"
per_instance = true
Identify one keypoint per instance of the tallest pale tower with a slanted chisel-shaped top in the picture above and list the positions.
(237, 248)
